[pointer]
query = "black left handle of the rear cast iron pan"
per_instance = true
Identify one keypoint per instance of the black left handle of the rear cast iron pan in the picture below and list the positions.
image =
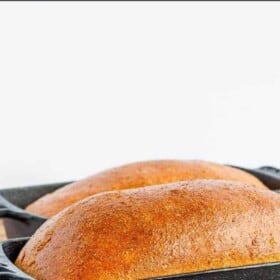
(8, 210)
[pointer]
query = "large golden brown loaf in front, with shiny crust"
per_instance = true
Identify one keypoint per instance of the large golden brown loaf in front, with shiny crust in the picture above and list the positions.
(159, 230)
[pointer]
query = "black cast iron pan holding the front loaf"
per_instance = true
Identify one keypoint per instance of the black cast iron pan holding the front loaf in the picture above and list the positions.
(10, 249)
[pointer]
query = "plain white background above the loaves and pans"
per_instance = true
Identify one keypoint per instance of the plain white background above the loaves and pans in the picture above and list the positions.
(88, 86)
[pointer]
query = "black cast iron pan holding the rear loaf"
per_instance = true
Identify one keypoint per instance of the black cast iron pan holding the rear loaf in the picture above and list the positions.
(20, 223)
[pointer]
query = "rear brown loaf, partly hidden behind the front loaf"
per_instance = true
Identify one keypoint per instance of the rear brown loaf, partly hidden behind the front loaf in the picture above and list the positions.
(137, 175)
